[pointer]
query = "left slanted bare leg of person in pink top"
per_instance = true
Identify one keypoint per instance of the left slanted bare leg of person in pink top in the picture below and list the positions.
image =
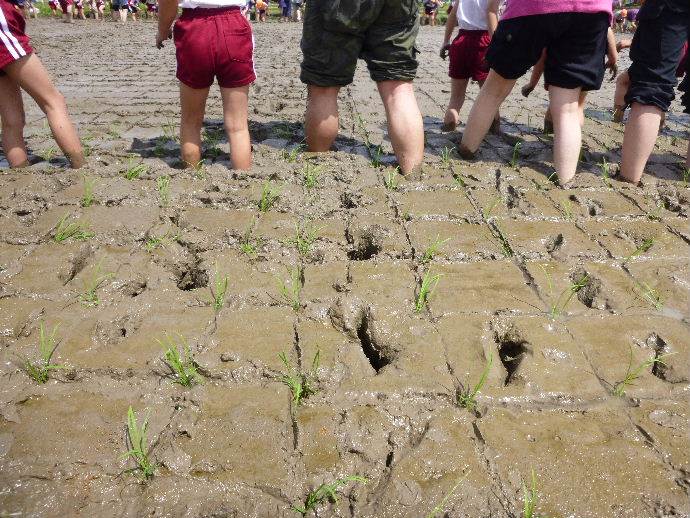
(496, 88)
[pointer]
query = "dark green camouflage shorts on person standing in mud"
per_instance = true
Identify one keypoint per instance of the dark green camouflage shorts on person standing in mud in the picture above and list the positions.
(338, 32)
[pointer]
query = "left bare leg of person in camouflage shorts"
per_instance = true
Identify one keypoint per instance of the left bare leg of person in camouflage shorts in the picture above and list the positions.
(321, 119)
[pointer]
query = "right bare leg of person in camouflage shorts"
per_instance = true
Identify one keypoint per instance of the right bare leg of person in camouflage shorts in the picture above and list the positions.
(405, 126)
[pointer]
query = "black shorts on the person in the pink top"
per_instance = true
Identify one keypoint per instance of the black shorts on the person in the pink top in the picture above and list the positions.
(575, 46)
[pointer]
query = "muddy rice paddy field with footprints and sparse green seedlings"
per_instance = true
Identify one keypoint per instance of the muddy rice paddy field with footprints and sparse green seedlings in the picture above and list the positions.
(563, 294)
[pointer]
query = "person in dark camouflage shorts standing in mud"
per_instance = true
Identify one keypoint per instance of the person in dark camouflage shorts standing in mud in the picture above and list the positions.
(382, 33)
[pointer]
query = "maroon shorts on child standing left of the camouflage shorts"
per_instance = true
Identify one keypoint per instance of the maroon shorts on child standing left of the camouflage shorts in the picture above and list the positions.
(214, 43)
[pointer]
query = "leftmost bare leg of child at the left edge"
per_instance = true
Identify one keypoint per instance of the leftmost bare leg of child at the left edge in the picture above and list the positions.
(12, 116)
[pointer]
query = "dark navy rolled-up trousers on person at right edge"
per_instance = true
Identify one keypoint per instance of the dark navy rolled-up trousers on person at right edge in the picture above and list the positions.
(663, 26)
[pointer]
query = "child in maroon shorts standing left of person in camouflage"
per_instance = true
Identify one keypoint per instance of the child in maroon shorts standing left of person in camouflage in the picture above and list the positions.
(213, 40)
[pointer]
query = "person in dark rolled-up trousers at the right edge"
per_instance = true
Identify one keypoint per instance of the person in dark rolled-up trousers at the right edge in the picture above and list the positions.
(663, 28)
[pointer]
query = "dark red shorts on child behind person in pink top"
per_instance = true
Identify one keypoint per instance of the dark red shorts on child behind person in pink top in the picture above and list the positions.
(468, 55)
